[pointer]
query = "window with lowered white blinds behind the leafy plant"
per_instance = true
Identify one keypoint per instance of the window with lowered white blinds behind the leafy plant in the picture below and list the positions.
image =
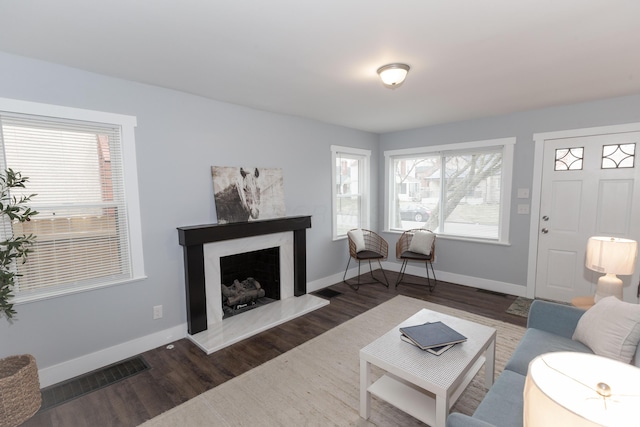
(81, 166)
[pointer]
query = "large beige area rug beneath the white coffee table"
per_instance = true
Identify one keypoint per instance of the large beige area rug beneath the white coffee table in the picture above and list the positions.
(317, 383)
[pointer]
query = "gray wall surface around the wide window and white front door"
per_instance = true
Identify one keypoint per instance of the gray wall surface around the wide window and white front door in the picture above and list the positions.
(507, 264)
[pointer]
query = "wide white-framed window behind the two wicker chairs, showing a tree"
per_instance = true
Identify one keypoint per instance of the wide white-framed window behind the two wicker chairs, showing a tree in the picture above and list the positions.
(458, 190)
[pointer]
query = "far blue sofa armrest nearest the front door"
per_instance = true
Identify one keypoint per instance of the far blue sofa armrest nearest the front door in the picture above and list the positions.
(555, 318)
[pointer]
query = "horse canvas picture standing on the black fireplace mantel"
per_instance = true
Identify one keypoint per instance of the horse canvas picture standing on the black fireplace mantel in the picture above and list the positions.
(247, 193)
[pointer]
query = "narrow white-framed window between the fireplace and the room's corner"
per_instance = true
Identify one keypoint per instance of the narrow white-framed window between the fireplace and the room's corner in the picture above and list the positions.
(350, 188)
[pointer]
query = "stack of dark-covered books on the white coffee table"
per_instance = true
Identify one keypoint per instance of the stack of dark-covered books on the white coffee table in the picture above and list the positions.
(434, 337)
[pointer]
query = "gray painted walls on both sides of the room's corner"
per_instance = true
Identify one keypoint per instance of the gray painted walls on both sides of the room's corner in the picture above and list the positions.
(178, 138)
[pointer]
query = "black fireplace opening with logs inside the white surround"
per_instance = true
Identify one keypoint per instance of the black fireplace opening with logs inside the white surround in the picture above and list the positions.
(249, 280)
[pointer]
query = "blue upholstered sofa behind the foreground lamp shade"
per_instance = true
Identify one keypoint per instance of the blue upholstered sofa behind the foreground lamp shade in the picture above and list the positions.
(550, 327)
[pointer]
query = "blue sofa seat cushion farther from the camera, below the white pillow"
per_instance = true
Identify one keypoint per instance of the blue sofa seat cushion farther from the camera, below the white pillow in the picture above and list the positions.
(536, 342)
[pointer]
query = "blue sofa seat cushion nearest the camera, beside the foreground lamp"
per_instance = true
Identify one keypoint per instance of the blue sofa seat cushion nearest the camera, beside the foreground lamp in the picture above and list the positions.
(503, 403)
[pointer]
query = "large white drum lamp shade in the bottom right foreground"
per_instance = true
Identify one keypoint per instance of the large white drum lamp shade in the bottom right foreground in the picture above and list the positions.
(561, 389)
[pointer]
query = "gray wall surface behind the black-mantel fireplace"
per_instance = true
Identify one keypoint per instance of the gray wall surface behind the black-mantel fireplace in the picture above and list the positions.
(178, 138)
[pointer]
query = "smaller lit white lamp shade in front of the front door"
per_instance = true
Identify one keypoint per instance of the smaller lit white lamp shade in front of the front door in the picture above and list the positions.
(611, 255)
